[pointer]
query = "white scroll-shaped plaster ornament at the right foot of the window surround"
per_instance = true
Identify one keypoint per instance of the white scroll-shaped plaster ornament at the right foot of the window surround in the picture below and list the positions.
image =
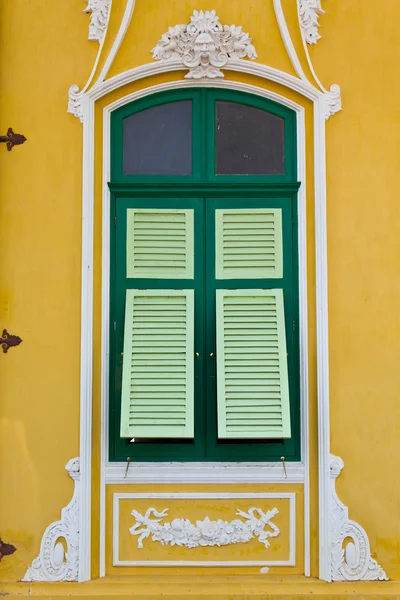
(352, 562)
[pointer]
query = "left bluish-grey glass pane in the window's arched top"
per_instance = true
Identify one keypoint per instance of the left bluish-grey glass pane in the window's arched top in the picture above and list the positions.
(158, 140)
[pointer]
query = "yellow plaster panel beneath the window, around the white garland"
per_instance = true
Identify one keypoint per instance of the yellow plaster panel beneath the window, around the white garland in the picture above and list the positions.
(195, 509)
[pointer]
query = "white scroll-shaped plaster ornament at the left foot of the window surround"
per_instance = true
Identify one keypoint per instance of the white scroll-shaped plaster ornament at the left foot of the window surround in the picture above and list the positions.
(53, 563)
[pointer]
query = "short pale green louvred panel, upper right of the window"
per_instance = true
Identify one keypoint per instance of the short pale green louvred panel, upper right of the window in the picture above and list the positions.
(248, 243)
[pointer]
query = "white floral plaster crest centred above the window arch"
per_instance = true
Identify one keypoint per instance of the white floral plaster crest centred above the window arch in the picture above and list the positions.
(204, 45)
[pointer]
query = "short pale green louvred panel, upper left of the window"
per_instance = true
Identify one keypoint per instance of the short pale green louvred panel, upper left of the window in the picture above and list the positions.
(160, 243)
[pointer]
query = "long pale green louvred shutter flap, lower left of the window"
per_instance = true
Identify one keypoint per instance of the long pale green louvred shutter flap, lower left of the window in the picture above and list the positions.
(157, 378)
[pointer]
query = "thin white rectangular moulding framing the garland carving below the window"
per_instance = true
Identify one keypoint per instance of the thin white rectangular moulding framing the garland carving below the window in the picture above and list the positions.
(291, 562)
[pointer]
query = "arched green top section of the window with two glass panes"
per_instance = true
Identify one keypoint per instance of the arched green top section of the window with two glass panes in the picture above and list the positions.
(203, 135)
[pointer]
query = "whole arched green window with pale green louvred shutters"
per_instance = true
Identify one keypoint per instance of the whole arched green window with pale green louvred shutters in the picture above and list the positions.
(204, 351)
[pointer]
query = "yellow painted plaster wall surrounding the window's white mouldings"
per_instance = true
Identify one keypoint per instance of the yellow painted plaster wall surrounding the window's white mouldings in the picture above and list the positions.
(44, 49)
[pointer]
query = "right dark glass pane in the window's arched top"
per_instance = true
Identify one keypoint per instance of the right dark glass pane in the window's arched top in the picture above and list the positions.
(249, 141)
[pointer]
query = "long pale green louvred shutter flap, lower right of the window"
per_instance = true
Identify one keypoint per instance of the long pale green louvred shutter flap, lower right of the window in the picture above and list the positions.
(252, 375)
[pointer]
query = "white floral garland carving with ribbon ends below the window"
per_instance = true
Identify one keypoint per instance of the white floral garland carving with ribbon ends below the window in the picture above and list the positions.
(182, 532)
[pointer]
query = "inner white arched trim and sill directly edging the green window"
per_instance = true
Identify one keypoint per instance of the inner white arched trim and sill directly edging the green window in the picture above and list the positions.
(266, 473)
